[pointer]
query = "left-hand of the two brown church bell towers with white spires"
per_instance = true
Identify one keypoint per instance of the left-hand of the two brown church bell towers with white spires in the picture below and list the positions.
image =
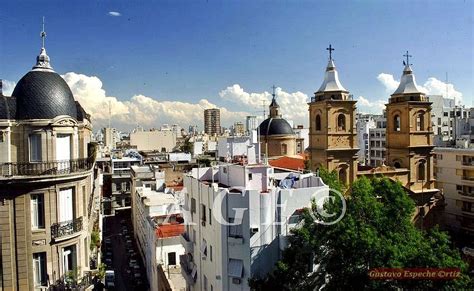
(333, 134)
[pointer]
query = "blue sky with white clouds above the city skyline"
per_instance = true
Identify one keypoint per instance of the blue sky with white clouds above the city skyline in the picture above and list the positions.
(159, 62)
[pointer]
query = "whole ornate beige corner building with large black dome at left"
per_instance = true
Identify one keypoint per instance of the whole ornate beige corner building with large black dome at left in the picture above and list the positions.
(46, 182)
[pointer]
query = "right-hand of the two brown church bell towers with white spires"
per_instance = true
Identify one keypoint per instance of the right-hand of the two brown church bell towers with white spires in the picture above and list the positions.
(410, 136)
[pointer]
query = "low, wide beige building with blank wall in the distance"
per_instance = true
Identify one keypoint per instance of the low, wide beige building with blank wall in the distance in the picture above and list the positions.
(154, 140)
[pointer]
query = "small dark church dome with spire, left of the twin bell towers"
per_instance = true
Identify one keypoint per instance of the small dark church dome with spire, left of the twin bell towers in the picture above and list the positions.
(276, 135)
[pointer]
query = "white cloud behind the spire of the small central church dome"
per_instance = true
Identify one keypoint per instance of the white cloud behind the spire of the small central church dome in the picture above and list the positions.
(293, 105)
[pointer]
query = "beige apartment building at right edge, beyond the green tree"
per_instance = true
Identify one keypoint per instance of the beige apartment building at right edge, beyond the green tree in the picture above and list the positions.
(454, 168)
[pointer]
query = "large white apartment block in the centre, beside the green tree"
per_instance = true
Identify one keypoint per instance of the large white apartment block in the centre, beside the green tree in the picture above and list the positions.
(224, 257)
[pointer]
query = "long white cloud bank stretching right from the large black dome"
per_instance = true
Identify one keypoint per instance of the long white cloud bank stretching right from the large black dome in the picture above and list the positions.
(140, 110)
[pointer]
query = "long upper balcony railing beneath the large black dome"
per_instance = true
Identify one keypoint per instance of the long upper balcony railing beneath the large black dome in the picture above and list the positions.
(45, 168)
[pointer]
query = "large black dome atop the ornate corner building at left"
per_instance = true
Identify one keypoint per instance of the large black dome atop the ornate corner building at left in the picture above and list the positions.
(43, 95)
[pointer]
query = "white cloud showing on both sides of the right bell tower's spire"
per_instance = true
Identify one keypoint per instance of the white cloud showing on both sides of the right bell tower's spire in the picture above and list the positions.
(432, 86)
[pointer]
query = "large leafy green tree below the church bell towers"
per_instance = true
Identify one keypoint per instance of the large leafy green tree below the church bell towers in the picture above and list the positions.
(376, 232)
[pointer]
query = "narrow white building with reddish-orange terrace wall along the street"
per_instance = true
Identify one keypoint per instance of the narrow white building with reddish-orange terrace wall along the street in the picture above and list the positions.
(158, 225)
